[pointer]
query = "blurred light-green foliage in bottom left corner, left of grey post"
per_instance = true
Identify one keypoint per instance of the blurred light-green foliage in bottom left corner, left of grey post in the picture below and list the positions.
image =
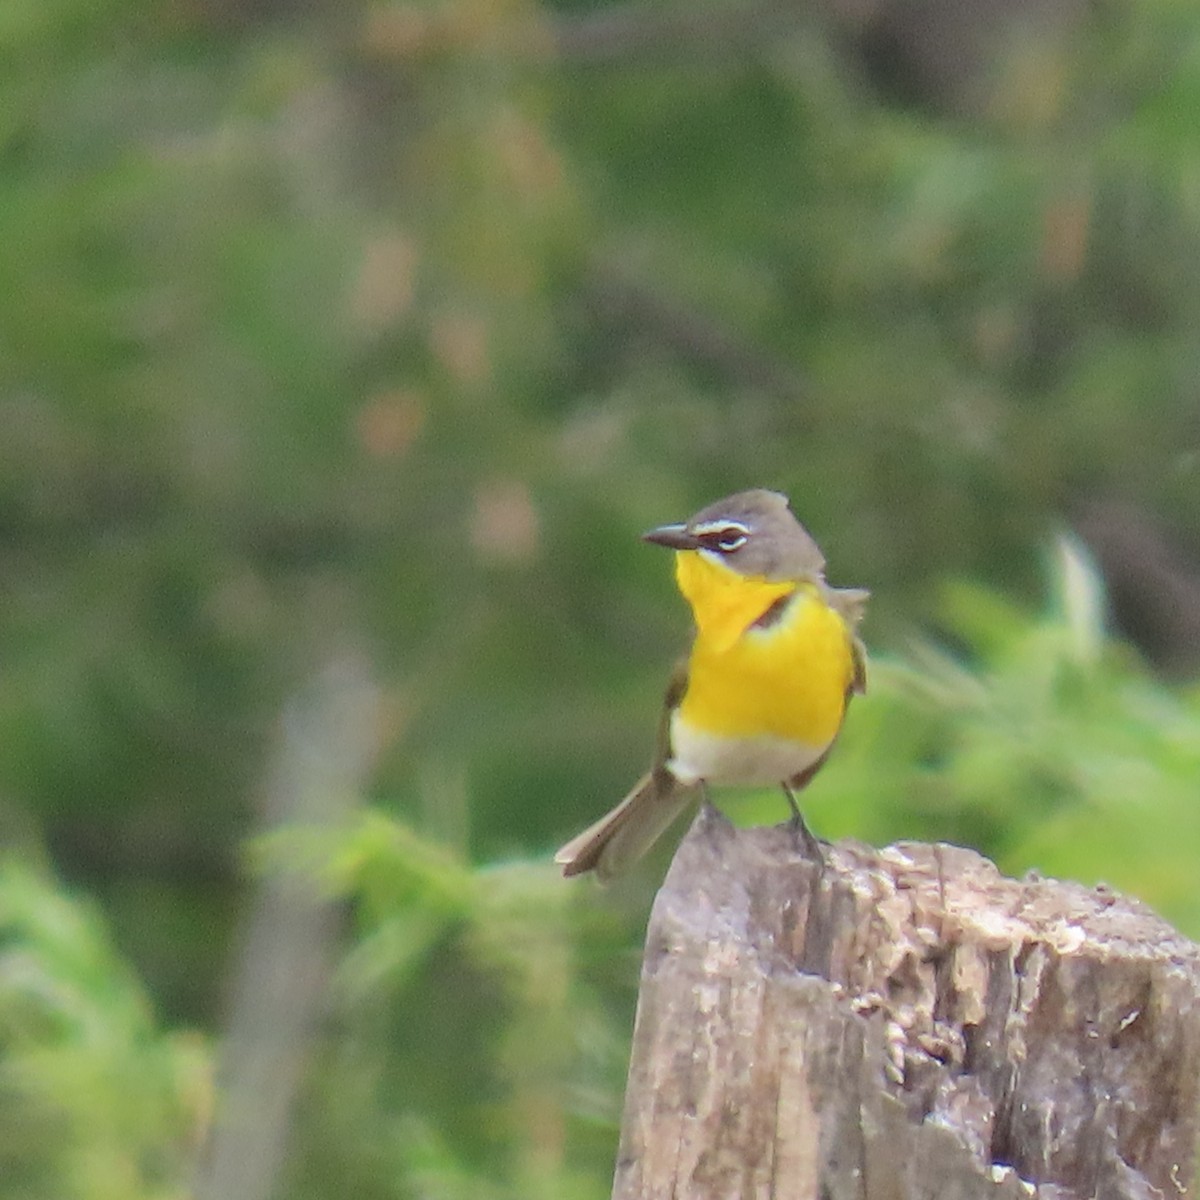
(97, 1101)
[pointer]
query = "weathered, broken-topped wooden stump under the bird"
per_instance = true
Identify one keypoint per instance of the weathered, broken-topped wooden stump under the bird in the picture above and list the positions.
(904, 1024)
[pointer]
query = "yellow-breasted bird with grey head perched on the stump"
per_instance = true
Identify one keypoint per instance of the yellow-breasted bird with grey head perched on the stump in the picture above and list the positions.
(763, 694)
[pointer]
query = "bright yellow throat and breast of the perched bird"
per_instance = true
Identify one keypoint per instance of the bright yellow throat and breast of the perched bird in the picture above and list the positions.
(787, 680)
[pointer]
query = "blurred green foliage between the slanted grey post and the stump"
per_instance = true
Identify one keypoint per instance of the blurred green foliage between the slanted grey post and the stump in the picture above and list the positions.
(464, 1019)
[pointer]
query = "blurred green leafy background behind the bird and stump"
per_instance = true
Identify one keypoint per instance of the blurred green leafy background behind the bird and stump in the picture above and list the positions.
(349, 347)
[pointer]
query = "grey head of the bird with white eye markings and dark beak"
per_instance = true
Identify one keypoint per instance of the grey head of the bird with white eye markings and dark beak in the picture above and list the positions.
(753, 533)
